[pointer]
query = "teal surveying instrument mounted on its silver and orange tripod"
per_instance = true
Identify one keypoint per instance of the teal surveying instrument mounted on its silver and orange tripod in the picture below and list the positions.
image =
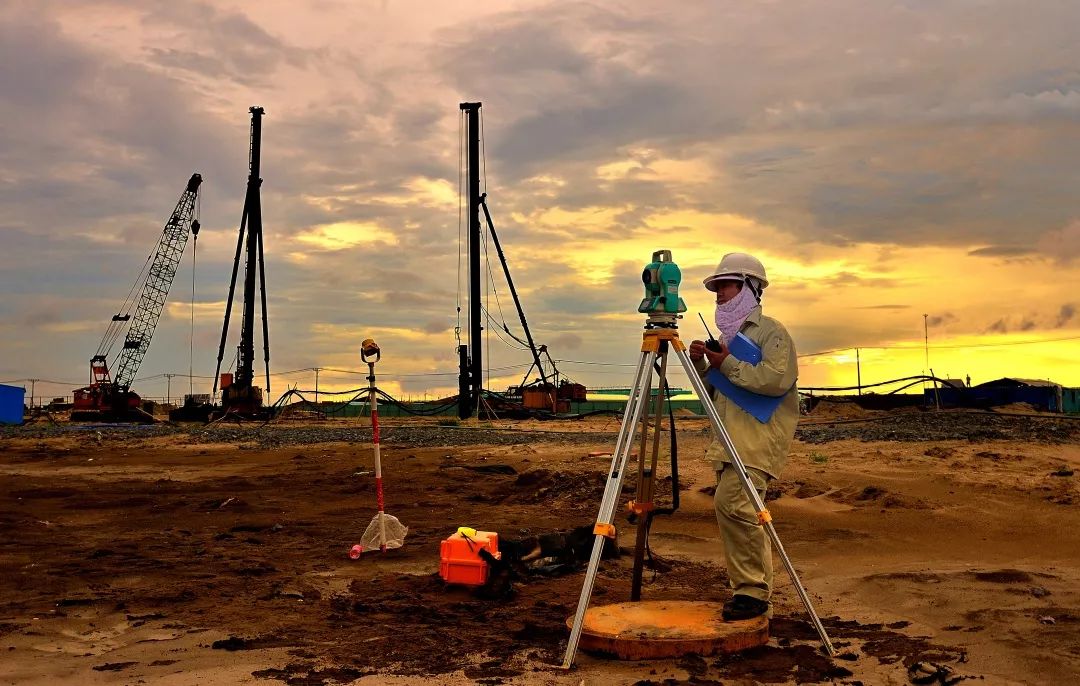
(663, 307)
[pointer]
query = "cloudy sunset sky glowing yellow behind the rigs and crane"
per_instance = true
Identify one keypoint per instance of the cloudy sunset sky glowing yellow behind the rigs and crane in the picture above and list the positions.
(885, 160)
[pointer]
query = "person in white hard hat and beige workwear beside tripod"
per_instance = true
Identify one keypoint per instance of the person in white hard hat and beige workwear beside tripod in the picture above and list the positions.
(739, 283)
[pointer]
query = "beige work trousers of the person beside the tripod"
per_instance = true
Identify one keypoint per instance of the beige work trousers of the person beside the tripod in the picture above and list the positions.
(746, 544)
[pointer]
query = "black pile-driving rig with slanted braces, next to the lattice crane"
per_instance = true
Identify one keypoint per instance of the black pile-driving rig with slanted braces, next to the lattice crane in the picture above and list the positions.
(242, 397)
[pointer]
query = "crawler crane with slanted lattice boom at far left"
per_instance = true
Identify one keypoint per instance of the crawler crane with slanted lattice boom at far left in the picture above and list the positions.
(110, 397)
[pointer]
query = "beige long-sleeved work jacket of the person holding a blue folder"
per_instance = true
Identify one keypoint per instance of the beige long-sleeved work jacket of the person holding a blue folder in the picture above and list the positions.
(764, 447)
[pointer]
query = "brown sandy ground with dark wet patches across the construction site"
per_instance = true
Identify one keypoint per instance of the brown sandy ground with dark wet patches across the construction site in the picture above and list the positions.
(221, 558)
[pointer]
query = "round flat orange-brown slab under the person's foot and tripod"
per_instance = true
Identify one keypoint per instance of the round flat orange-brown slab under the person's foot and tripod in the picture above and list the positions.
(667, 629)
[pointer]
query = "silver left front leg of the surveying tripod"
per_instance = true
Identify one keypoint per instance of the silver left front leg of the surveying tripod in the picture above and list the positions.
(639, 397)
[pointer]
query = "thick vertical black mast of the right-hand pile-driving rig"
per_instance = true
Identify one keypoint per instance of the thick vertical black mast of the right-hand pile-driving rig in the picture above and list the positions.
(471, 370)
